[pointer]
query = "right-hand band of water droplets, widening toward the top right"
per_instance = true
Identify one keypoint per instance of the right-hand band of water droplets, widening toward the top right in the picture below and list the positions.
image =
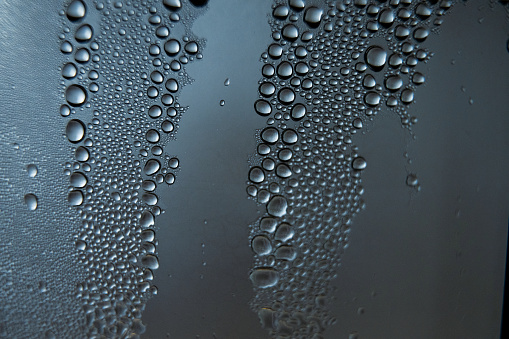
(332, 67)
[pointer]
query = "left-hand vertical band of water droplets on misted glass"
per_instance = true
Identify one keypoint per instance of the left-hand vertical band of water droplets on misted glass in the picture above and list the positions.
(124, 69)
